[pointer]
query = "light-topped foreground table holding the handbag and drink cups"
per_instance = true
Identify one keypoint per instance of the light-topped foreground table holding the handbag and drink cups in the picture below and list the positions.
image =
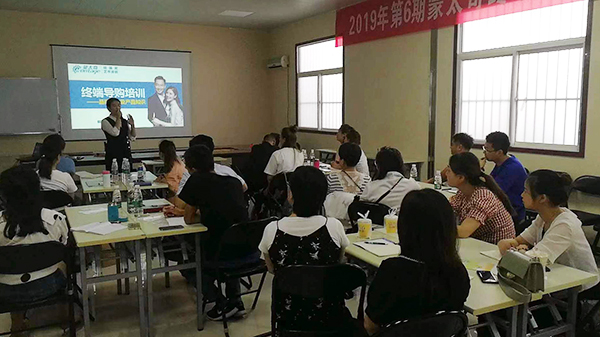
(486, 298)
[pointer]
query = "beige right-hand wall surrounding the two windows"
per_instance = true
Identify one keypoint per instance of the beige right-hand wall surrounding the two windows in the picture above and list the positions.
(387, 90)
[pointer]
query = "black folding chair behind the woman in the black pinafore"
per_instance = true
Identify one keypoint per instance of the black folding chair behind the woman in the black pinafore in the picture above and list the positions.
(331, 282)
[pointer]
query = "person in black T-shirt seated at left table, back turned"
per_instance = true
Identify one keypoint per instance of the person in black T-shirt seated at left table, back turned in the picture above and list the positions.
(217, 202)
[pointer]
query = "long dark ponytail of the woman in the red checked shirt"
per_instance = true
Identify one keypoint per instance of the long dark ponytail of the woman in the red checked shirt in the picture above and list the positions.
(467, 165)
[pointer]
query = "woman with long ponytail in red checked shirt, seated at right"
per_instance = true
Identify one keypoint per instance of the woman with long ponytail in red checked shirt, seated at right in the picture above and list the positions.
(483, 210)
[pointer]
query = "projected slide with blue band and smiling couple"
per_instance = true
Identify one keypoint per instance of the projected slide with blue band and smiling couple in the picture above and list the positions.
(152, 95)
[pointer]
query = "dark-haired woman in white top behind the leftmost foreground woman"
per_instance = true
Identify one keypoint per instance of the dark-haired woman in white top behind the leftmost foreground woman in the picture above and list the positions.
(52, 179)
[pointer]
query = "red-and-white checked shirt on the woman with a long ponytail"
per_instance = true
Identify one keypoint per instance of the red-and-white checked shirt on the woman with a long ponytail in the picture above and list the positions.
(485, 207)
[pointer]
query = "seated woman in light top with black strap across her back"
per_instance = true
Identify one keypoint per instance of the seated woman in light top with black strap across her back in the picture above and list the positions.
(389, 177)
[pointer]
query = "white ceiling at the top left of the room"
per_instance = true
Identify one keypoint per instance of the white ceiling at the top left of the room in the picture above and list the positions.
(267, 13)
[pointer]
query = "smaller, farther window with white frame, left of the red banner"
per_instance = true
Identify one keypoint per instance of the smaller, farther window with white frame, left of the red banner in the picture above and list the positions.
(334, 71)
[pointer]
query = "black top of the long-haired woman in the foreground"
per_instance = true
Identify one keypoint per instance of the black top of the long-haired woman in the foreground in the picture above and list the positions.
(401, 290)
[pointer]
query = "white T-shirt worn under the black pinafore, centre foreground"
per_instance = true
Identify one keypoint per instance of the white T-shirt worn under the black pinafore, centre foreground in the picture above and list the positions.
(299, 226)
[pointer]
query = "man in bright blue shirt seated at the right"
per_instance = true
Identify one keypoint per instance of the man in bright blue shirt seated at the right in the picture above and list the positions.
(509, 173)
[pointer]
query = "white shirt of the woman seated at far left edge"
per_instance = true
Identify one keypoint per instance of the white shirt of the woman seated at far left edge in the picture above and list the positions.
(56, 225)
